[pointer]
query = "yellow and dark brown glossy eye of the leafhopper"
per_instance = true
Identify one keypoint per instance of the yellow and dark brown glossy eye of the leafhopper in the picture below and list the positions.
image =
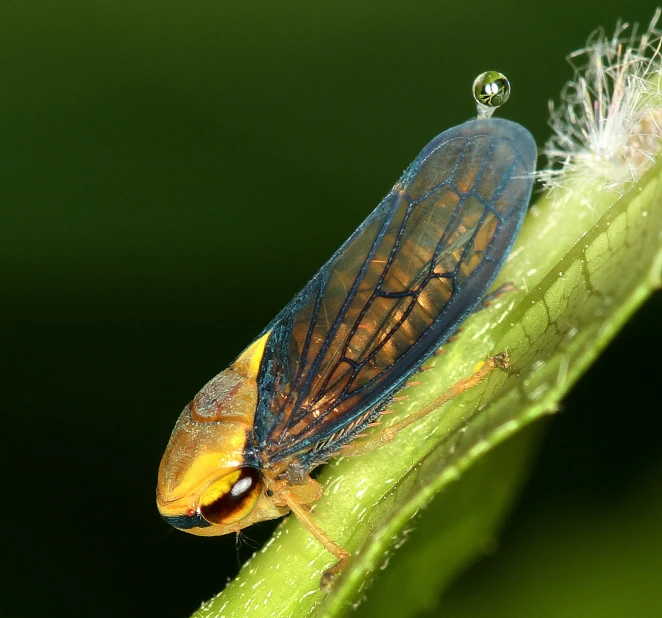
(231, 497)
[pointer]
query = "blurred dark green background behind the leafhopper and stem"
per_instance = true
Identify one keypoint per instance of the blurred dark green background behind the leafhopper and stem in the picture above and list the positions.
(172, 174)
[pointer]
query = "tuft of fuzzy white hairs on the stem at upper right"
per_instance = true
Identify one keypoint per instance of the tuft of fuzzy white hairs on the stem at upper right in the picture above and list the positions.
(608, 126)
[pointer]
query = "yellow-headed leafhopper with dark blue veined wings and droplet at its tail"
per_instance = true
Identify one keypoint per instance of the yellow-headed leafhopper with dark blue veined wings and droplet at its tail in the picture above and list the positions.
(243, 449)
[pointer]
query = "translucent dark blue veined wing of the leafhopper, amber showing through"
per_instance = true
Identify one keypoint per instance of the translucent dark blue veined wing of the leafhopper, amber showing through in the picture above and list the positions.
(395, 291)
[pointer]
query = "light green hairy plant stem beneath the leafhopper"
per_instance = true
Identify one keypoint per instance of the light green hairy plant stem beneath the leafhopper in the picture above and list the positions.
(582, 266)
